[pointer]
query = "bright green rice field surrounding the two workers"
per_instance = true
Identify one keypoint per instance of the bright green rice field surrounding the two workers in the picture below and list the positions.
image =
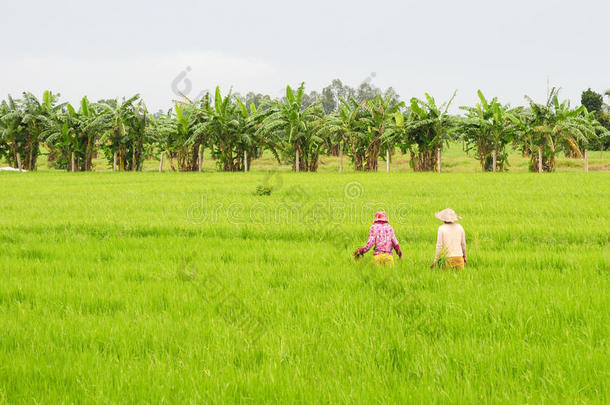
(120, 288)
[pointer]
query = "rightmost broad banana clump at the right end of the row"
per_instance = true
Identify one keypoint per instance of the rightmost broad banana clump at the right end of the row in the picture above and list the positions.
(549, 128)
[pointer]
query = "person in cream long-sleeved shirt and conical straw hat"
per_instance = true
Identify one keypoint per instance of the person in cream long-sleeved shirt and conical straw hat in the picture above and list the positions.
(451, 240)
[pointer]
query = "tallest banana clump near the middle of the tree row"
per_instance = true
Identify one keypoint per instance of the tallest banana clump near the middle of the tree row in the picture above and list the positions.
(290, 126)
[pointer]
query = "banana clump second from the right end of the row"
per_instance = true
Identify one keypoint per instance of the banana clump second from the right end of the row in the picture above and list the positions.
(488, 128)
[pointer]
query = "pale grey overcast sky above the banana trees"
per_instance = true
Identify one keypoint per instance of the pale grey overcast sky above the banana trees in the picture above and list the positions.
(108, 48)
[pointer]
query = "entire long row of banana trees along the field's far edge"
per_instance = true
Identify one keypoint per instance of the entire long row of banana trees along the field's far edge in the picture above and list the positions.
(293, 129)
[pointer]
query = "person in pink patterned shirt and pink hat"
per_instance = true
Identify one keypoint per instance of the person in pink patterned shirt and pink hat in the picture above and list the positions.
(381, 235)
